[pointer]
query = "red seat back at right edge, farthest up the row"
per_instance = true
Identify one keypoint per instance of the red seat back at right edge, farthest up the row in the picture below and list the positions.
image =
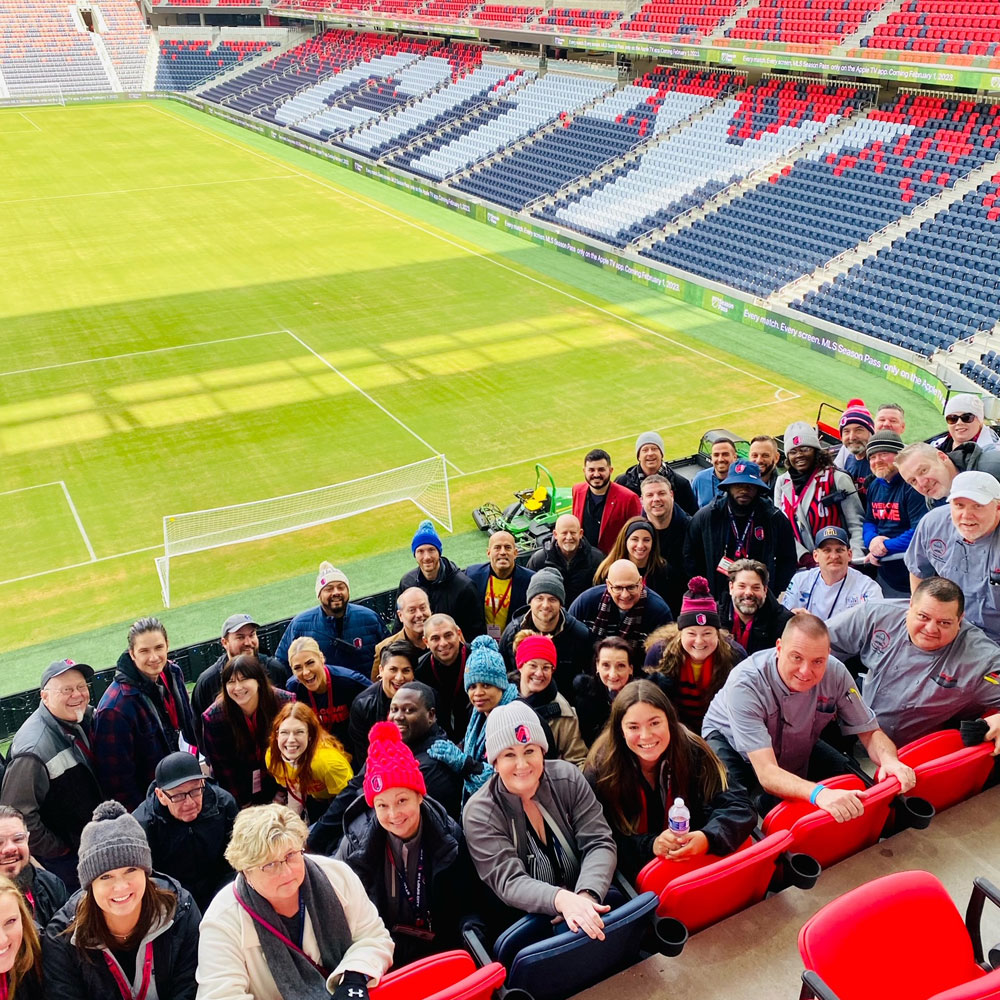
(947, 771)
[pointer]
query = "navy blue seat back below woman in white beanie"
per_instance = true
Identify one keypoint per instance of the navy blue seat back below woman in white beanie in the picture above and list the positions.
(568, 963)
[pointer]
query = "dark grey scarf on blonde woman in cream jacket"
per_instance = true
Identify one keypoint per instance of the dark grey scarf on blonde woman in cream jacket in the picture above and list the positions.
(296, 975)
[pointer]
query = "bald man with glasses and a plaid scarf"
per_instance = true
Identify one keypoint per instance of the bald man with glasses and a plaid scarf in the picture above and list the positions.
(623, 607)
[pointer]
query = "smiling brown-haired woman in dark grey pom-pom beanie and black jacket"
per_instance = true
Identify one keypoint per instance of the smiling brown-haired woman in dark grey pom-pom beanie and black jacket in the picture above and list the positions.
(126, 933)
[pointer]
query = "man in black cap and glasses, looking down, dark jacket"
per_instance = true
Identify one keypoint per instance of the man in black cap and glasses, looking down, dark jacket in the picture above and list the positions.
(188, 820)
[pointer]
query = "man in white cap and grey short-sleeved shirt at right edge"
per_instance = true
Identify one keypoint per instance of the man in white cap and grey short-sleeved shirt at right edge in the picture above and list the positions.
(961, 542)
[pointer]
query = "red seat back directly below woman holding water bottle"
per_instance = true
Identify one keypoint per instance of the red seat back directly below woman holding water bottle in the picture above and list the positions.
(707, 895)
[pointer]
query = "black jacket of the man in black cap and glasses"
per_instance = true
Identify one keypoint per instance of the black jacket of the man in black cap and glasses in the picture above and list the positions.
(191, 853)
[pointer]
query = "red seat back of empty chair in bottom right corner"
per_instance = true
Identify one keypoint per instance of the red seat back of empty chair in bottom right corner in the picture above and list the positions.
(896, 936)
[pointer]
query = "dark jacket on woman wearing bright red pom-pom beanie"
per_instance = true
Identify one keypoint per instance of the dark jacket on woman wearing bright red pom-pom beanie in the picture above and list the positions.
(451, 880)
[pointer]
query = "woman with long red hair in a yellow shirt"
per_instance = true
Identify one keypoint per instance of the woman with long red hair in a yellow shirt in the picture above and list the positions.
(306, 761)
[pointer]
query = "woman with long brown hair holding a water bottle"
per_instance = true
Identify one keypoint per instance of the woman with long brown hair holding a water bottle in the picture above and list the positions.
(641, 763)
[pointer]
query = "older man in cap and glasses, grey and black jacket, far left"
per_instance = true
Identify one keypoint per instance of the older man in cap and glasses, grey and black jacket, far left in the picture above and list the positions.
(50, 777)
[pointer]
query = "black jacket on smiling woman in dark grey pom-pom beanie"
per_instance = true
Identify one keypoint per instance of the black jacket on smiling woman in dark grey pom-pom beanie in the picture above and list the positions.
(72, 974)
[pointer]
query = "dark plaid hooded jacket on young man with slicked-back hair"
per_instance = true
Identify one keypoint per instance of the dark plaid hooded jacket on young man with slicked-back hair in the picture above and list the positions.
(133, 732)
